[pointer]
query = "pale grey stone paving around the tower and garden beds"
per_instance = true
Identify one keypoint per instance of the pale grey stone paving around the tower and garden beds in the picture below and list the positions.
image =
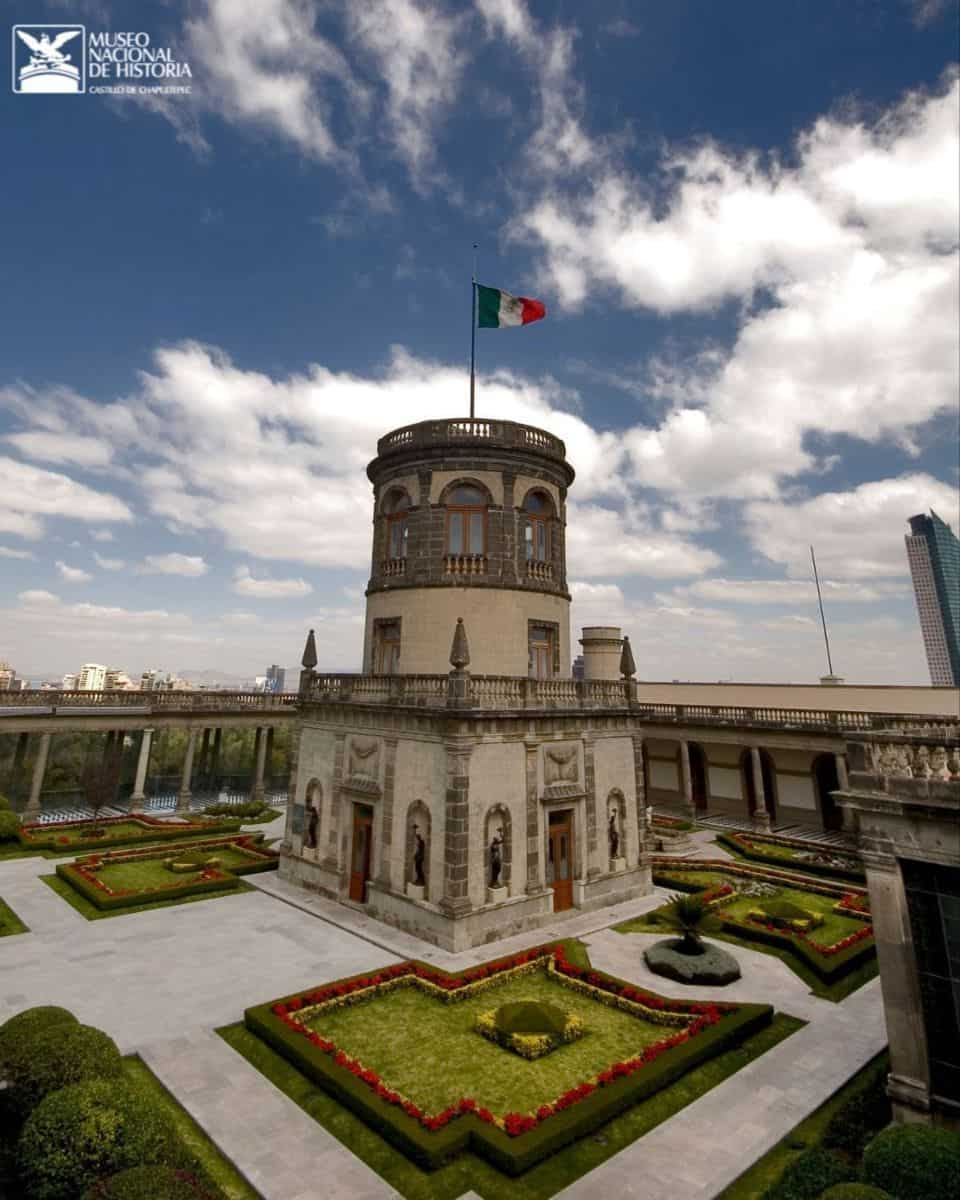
(160, 982)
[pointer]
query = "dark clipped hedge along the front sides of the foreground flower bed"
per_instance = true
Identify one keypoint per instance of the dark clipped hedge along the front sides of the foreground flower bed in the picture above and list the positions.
(513, 1156)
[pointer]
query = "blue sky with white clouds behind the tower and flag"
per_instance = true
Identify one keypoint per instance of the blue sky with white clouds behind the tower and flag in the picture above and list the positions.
(743, 220)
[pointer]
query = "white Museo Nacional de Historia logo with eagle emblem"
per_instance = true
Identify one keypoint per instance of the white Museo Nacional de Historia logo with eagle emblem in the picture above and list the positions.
(67, 59)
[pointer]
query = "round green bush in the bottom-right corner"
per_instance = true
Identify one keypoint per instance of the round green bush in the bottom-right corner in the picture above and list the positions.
(915, 1163)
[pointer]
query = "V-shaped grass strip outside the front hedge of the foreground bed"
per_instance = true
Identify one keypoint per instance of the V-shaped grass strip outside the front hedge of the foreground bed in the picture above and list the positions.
(469, 1173)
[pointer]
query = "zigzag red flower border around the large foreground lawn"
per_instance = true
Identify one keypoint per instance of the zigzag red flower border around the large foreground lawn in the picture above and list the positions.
(514, 1124)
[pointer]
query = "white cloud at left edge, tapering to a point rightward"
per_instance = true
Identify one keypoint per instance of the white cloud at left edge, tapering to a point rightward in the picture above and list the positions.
(31, 494)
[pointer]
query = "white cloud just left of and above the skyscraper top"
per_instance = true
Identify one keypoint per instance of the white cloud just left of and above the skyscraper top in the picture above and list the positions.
(857, 535)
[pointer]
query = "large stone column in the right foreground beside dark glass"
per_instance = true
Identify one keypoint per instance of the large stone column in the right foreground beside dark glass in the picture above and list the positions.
(909, 1082)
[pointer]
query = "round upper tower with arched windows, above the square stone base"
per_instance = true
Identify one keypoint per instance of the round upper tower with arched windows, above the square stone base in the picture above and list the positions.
(470, 521)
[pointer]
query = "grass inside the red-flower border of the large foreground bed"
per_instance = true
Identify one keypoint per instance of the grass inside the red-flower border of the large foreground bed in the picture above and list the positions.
(430, 1052)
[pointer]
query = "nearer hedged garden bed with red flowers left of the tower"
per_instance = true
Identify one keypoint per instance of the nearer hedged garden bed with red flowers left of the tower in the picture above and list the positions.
(122, 880)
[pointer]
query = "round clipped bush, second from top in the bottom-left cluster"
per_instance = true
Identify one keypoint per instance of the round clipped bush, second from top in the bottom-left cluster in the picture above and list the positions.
(59, 1057)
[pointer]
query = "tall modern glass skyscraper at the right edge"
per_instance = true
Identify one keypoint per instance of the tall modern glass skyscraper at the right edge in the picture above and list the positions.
(934, 556)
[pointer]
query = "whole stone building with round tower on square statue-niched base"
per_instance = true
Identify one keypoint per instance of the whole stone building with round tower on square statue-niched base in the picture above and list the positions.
(471, 805)
